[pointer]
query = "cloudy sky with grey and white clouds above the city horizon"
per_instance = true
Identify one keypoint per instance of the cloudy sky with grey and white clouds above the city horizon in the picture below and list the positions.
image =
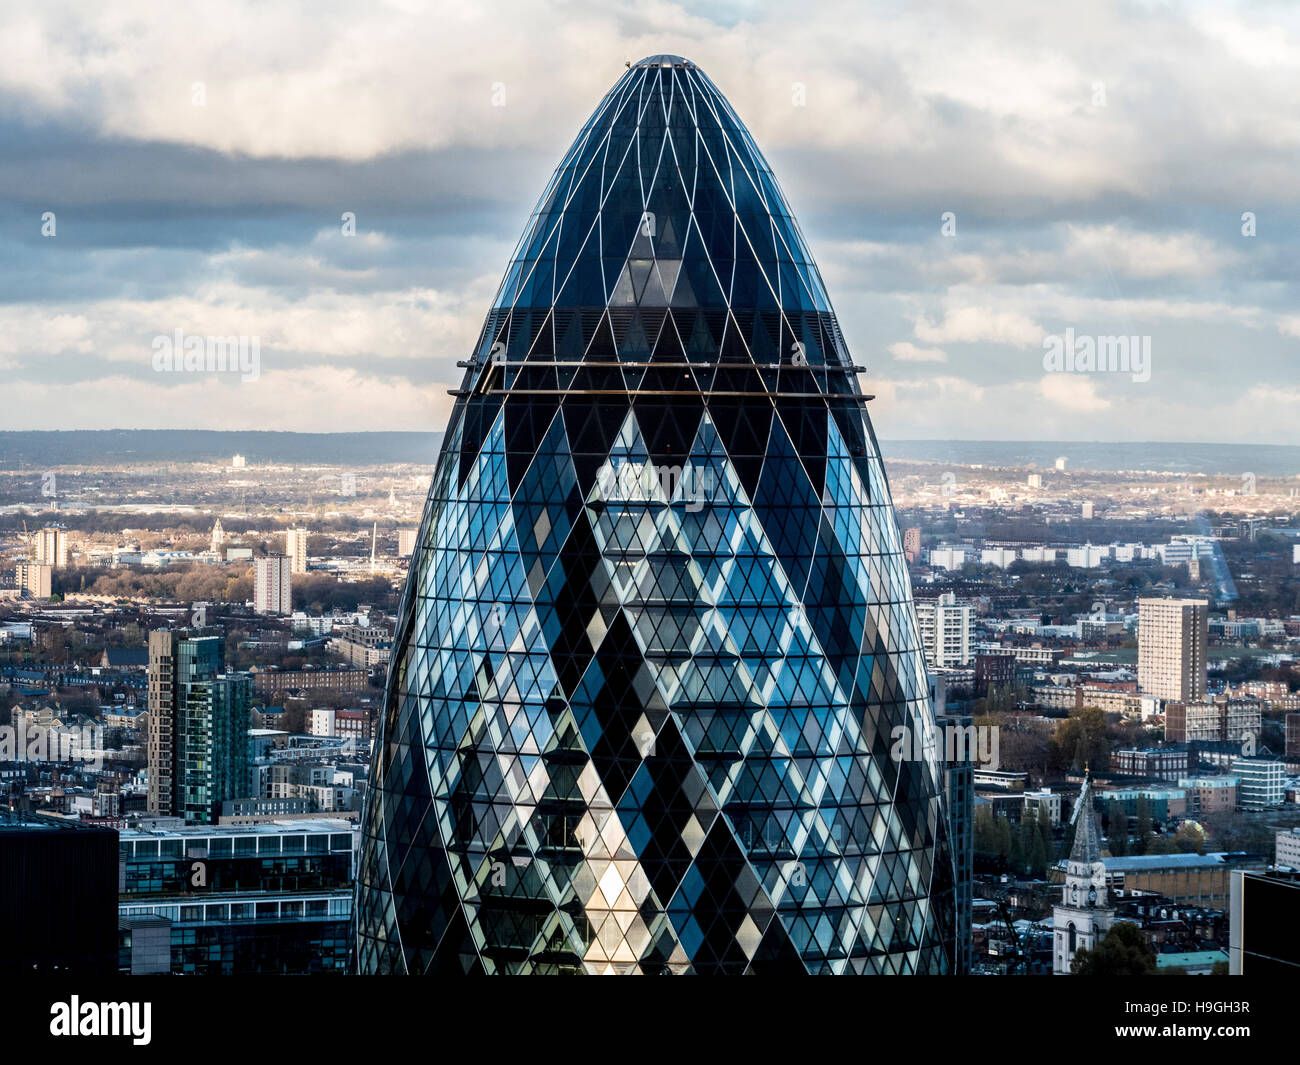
(198, 161)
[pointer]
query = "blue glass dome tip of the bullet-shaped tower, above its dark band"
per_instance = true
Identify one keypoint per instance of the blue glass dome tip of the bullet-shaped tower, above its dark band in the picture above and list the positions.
(665, 170)
